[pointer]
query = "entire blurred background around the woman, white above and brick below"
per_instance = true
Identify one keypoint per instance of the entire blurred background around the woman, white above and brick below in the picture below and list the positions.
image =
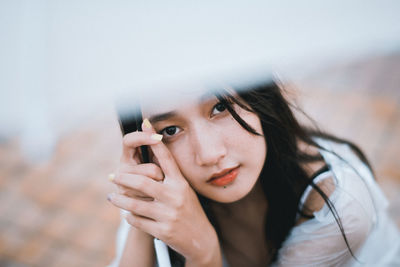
(63, 62)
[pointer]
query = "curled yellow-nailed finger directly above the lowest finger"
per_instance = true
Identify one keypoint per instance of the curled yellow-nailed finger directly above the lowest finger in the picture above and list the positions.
(140, 183)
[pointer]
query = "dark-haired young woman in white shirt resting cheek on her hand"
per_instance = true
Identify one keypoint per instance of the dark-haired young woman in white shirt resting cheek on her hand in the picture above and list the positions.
(237, 181)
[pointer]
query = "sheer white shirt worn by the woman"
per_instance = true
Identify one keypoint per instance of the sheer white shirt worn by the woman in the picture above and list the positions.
(361, 206)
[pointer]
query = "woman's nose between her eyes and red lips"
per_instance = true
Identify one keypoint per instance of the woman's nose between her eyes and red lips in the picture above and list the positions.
(209, 147)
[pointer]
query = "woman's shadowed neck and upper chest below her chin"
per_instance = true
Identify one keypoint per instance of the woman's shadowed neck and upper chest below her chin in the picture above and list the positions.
(241, 228)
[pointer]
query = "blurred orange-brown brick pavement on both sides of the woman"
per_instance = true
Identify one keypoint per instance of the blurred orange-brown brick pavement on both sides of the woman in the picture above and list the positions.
(56, 214)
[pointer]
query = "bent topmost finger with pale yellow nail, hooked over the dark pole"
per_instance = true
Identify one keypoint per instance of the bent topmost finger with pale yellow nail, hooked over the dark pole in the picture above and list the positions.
(132, 141)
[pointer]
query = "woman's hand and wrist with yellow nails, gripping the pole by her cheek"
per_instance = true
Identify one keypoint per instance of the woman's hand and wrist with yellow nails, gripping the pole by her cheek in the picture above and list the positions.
(162, 203)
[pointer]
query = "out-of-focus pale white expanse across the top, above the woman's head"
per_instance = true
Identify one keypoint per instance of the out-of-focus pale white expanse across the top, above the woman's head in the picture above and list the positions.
(62, 61)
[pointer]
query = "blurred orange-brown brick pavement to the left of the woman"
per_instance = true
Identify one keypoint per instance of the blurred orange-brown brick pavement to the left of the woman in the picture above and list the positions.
(57, 214)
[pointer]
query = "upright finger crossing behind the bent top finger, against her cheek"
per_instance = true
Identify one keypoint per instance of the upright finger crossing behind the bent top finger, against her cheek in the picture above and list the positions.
(161, 152)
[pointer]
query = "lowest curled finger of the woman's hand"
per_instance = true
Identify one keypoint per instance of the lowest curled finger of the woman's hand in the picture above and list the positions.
(138, 207)
